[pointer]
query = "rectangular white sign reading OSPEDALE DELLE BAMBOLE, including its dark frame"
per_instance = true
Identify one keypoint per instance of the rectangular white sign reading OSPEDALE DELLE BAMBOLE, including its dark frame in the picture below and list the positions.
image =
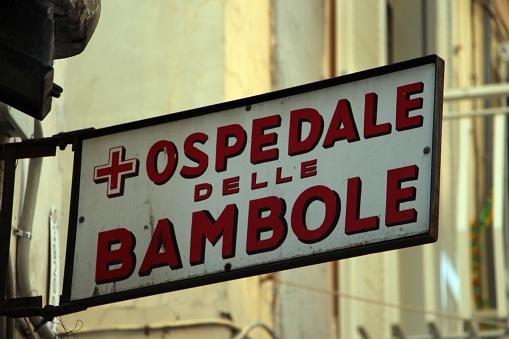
(320, 172)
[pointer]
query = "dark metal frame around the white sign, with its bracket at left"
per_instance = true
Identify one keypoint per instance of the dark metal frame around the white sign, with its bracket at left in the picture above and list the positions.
(77, 138)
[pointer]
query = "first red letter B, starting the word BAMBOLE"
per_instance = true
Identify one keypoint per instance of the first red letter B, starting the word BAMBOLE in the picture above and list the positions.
(108, 257)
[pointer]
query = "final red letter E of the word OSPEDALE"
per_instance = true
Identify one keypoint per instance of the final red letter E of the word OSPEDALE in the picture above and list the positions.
(404, 105)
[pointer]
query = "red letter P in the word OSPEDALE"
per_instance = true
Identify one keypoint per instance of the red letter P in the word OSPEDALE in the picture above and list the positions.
(224, 151)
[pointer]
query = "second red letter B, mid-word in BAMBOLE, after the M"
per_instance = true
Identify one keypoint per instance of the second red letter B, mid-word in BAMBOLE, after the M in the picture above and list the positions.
(265, 215)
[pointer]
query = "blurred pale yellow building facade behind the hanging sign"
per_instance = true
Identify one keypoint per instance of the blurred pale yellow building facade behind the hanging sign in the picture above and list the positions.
(156, 57)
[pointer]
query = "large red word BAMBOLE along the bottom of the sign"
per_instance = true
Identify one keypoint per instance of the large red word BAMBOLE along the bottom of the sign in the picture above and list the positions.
(163, 250)
